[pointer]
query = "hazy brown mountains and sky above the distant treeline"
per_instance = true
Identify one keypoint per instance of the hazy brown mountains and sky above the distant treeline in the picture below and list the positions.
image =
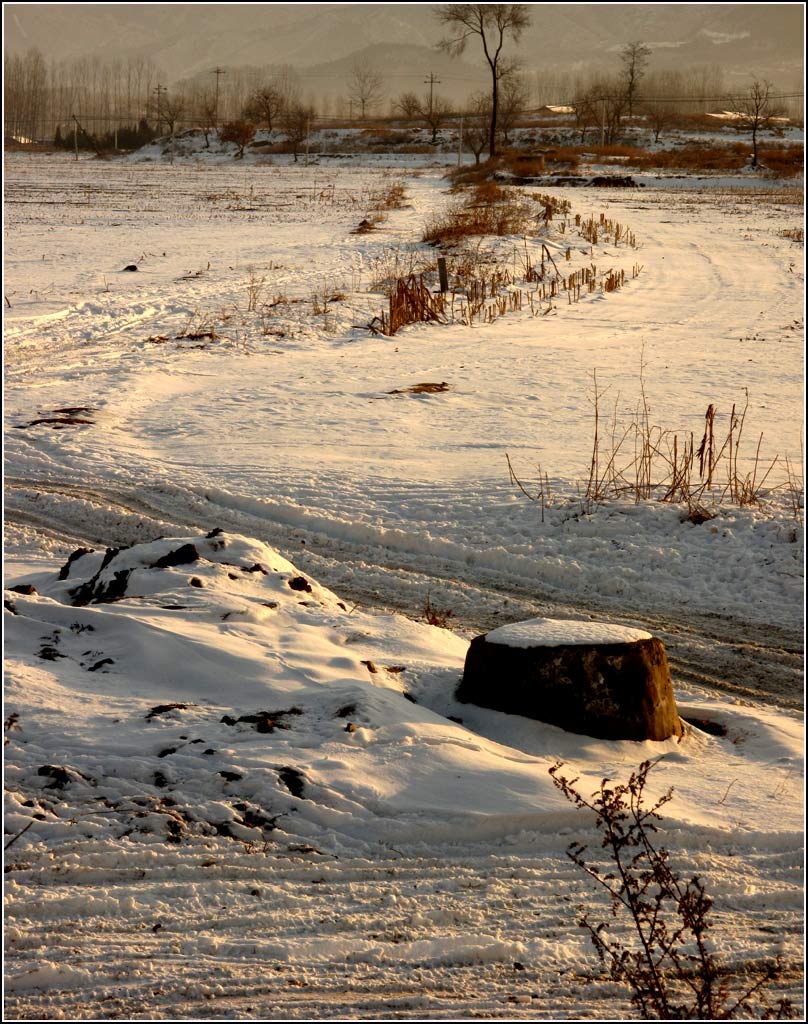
(324, 40)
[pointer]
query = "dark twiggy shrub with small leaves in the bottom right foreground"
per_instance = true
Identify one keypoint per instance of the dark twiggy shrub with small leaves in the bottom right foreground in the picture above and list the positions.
(671, 970)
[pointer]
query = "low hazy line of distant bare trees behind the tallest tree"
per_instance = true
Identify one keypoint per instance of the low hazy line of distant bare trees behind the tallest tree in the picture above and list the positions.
(124, 103)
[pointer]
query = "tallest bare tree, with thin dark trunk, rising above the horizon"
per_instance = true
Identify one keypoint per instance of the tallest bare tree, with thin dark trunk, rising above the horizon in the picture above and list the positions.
(492, 24)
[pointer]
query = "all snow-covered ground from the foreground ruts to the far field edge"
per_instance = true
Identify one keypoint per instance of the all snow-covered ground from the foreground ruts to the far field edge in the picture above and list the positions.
(188, 864)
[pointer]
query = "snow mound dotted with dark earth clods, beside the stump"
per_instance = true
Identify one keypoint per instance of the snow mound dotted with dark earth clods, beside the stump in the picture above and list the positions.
(202, 690)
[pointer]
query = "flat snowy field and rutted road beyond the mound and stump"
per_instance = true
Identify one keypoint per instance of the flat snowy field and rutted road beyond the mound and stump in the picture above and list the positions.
(389, 500)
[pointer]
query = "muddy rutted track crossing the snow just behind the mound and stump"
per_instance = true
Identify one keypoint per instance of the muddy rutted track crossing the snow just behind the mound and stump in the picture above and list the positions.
(397, 570)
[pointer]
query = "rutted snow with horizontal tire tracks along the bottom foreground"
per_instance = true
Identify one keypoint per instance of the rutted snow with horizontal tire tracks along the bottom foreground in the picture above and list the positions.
(218, 931)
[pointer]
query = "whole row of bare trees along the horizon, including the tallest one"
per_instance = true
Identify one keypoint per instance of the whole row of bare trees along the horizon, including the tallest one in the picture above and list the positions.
(40, 97)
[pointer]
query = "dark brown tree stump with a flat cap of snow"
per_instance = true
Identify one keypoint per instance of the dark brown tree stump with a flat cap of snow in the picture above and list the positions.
(598, 679)
